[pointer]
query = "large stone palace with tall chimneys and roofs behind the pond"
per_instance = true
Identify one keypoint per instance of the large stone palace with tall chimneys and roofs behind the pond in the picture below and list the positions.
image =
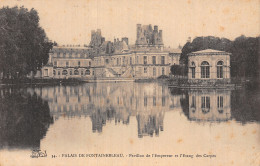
(105, 59)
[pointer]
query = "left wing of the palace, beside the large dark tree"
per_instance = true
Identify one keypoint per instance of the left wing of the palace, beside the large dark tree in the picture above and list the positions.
(69, 62)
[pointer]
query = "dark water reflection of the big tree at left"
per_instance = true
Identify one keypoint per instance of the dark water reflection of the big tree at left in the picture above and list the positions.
(24, 119)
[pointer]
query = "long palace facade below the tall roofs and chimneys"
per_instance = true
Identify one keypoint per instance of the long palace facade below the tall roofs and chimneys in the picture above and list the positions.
(79, 63)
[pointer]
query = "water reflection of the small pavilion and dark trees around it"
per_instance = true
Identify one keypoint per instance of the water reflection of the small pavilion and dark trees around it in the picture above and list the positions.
(216, 105)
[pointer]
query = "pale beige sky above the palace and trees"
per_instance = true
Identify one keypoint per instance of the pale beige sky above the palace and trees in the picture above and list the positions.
(71, 21)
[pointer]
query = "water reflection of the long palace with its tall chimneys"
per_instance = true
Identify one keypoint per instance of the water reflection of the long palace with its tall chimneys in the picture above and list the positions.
(104, 102)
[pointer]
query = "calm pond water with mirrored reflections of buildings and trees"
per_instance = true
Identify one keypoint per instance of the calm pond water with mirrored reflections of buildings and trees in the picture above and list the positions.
(130, 118)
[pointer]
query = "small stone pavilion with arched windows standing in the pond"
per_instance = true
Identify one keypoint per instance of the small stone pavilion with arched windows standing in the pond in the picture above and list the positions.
(209, 66)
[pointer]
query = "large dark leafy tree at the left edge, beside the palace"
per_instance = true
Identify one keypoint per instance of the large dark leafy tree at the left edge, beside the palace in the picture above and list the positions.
(24, 46)
